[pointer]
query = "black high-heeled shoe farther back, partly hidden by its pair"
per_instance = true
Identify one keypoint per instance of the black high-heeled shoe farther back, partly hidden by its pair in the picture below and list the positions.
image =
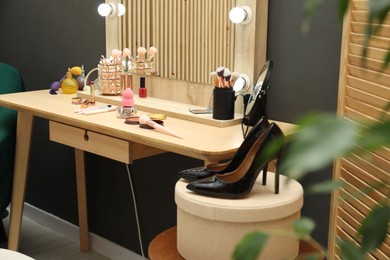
(200, 173)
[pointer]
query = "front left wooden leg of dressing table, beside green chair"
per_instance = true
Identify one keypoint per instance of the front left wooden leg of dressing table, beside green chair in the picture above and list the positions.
(22, 154)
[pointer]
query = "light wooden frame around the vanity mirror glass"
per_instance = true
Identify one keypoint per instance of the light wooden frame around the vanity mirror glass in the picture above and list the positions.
(250, 55)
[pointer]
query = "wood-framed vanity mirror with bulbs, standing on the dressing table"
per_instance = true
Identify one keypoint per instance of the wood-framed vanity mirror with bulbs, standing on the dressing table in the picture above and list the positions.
(193, 37)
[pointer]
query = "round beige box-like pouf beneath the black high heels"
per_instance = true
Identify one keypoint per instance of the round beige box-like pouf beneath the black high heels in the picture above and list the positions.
(210, 228)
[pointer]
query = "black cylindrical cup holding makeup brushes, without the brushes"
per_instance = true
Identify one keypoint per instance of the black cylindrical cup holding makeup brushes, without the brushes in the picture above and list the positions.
(223, 103)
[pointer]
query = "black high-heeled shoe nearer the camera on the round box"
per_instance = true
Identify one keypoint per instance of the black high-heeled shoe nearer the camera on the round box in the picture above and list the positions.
(240, 182)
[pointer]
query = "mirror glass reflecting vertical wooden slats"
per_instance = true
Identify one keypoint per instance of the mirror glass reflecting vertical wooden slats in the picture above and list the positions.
(185, 33)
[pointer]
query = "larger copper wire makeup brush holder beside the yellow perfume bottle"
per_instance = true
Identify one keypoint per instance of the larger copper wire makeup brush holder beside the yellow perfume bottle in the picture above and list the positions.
(110, 79)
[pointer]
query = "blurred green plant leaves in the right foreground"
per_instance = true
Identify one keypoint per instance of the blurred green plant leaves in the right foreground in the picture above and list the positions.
(319, 139)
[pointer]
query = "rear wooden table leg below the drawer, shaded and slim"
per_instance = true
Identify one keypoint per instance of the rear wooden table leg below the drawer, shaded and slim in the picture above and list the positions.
(82, 200)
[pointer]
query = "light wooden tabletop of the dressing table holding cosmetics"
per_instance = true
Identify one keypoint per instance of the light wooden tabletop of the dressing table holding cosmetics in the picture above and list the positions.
(199, 140)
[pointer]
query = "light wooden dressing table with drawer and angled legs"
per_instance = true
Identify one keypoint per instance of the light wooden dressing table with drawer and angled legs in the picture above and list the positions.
(106, 135)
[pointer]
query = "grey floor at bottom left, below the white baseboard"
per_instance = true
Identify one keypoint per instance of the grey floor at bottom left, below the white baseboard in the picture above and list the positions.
(42, 243)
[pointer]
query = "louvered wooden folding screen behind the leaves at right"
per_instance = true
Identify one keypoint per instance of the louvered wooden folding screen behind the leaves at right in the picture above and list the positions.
(364, 92)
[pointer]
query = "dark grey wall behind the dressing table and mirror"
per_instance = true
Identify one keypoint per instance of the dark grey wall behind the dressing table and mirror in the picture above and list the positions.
(43, 38)
